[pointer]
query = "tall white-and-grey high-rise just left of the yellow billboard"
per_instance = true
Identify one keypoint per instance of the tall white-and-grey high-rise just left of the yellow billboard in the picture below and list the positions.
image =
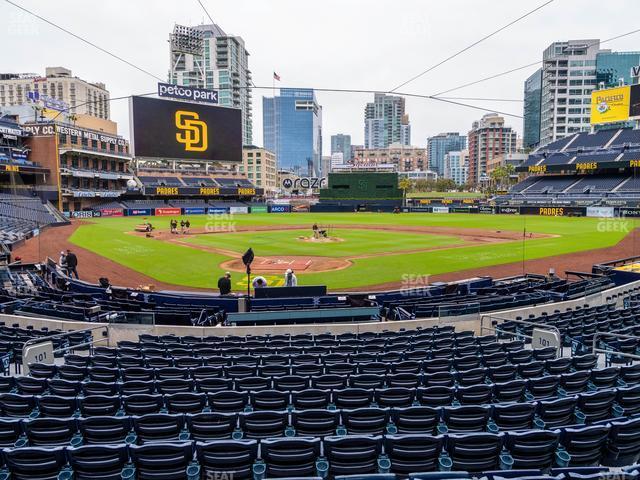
(568, 77)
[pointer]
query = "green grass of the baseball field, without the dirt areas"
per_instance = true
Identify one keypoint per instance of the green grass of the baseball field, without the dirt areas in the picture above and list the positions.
(182, 265)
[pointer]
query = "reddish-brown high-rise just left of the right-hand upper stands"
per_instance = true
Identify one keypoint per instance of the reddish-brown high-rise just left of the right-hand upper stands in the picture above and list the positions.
(488, 138)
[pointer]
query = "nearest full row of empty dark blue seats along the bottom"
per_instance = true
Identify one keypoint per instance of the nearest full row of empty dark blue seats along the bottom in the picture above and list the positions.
(331, 456)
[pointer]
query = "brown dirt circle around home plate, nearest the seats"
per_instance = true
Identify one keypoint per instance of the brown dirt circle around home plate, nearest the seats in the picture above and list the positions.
(278, 264)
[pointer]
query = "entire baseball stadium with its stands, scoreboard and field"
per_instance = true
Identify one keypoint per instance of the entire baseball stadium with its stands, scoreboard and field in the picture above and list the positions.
(165, 316)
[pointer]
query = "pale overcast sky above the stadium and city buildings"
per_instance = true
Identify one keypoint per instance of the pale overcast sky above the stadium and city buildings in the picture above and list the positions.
(335, 44)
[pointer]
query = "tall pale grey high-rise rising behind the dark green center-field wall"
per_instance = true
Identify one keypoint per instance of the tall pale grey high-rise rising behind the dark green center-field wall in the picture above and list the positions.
(385, 122)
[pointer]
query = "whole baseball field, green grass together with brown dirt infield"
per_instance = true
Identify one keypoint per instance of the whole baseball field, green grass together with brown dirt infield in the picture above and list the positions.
(360, 250)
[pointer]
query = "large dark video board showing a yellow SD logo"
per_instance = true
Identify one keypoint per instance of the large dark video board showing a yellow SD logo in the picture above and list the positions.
(185, 131)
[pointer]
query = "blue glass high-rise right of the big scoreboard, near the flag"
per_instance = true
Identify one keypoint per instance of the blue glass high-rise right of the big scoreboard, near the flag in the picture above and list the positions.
(292, 129)
